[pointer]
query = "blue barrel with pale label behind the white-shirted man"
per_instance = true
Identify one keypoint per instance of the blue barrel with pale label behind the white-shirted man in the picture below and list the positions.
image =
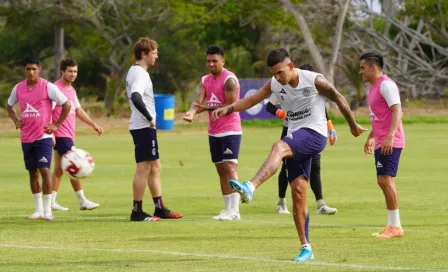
(164, 111)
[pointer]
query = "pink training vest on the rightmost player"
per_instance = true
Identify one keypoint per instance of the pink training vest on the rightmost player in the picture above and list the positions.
(381, 115)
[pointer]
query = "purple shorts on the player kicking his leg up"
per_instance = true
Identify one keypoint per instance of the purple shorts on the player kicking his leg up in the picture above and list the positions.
(304, 143)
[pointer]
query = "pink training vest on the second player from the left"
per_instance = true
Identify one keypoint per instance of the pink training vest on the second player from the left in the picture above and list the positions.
(67, 129)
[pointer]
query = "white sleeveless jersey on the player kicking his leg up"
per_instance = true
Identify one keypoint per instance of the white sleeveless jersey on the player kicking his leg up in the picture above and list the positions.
(304, 106)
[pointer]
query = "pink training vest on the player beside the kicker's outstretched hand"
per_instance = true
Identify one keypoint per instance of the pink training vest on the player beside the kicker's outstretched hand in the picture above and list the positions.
(214, 90)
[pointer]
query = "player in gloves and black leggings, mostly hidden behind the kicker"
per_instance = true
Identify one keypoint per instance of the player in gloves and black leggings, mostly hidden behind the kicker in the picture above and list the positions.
(315, 180)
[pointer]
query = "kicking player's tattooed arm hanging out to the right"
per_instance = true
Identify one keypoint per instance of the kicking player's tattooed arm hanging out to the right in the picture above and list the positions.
(326, 89)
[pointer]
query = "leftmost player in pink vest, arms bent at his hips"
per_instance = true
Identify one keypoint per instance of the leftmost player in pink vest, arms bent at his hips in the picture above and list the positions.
(35, 96)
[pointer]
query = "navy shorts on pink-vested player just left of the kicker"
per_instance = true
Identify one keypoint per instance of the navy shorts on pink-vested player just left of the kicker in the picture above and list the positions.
(225, 148)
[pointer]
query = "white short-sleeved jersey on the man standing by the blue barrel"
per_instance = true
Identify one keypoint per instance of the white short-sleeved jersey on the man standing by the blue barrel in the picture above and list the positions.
(138, 81)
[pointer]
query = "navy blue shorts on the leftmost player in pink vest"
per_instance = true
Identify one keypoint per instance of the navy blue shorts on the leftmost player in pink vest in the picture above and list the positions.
(38, 154)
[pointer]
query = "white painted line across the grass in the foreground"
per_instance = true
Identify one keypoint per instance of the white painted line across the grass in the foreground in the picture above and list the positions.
(229, 257)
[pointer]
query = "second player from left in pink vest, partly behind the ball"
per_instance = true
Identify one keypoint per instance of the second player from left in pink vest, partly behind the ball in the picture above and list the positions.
(65, 135)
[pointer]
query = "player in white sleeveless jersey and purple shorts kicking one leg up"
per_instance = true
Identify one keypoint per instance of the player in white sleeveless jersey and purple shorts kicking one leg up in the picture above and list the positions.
(301, 94)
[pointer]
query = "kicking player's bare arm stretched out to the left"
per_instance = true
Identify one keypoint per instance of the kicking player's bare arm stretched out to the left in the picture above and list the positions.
(245, 103)
